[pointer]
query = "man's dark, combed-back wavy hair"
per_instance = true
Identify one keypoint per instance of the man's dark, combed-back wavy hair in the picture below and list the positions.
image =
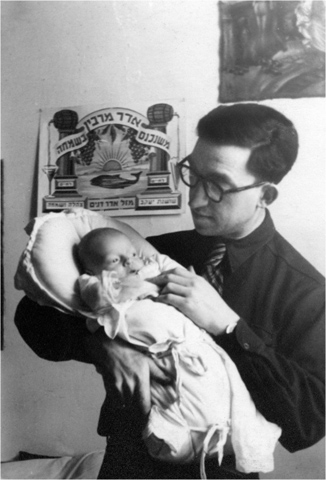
(271, 136)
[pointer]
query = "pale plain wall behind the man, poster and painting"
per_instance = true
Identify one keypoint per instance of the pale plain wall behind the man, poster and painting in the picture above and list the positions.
(60, 54)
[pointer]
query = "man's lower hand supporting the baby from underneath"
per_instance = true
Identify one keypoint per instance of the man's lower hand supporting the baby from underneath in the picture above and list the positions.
(126, 371)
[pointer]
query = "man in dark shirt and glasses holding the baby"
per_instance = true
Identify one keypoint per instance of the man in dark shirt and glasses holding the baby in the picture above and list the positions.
(268, 315)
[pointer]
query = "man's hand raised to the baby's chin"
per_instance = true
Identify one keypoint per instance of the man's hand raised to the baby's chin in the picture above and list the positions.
(196, 298)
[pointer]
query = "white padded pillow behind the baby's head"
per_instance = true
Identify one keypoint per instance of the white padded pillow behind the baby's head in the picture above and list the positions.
(48, 268)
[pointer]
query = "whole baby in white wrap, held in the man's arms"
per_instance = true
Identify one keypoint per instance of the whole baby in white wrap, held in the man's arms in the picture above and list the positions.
(212, 411)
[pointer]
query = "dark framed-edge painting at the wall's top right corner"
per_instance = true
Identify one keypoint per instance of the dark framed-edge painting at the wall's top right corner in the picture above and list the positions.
(271, 49)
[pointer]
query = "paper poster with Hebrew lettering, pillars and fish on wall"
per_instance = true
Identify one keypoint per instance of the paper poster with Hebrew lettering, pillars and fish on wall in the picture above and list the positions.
(119, 160)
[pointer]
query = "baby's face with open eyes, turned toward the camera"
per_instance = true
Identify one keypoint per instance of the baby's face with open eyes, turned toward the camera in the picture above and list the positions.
(120, 256)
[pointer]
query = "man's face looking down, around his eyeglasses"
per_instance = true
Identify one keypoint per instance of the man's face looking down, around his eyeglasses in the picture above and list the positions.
(238, 214)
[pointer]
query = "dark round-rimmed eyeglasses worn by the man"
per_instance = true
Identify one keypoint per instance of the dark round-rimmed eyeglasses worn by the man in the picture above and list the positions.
(213, 191)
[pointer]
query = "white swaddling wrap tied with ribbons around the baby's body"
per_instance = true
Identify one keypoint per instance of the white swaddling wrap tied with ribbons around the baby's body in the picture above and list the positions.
(212, 411)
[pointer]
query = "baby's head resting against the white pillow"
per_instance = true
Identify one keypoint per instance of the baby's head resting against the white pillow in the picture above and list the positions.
(108, 249)
